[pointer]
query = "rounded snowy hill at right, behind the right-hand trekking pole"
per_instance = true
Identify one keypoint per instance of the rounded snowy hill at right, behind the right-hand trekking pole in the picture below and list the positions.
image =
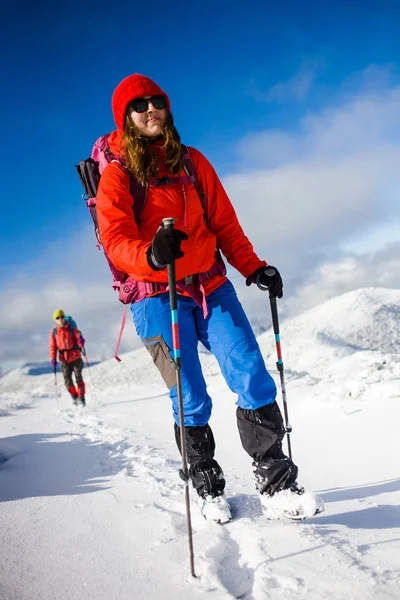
(363, 319)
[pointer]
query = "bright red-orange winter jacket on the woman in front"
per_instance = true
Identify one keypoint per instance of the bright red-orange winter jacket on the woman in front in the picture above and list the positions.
(126, 243)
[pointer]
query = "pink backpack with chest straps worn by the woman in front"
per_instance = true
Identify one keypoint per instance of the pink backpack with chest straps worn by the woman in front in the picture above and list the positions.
(89, 172)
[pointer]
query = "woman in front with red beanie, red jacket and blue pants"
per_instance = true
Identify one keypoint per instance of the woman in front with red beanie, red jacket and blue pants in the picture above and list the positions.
(146, 146)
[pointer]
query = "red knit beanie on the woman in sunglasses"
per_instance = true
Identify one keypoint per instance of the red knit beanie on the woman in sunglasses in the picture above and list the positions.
(134, 86)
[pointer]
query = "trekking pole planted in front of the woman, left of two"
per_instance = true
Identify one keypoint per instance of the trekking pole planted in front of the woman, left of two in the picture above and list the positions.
(176, 363)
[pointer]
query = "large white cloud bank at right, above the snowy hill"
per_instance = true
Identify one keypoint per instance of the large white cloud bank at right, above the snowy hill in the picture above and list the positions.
(310, 197)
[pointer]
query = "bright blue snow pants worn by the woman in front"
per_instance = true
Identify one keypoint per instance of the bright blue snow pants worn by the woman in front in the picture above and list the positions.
(226, 332)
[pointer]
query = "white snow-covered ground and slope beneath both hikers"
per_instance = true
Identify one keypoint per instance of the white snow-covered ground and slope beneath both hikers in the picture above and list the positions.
(91, 505)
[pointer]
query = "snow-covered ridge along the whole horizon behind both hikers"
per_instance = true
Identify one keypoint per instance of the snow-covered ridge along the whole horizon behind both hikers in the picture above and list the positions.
(366, 319)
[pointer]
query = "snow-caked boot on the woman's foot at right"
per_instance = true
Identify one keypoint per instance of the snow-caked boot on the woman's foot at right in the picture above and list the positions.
(293, 503)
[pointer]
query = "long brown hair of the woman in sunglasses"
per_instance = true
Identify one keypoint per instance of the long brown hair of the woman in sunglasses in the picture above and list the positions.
(142, 160)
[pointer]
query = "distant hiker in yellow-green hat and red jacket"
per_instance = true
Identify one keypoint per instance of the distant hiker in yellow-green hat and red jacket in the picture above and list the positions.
(67, 340)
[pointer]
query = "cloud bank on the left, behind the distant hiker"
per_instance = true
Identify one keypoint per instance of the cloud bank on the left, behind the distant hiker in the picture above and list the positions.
(73, 277)
